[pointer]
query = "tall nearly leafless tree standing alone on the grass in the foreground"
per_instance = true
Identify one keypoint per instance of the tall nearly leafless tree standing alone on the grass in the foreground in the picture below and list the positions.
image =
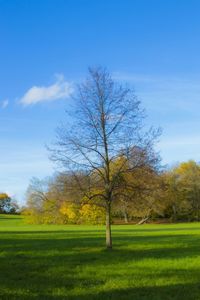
(107, 123)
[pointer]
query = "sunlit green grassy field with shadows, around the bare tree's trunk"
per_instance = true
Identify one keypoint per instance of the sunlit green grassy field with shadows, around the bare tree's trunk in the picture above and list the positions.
(70, 262)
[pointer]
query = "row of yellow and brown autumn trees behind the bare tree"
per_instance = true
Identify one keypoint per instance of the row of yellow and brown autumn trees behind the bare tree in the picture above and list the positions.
(170, 196)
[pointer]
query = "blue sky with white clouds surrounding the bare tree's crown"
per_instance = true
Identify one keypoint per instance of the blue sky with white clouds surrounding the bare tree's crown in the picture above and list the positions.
(45, 49)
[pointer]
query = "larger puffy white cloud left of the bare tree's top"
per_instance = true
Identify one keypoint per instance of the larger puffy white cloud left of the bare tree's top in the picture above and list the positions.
(59, 90)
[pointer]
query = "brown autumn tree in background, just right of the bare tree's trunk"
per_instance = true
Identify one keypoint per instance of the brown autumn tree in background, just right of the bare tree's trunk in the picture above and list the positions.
(141, 195)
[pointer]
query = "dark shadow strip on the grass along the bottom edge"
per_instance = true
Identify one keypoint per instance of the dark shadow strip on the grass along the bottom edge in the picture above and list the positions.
(168, 292)
